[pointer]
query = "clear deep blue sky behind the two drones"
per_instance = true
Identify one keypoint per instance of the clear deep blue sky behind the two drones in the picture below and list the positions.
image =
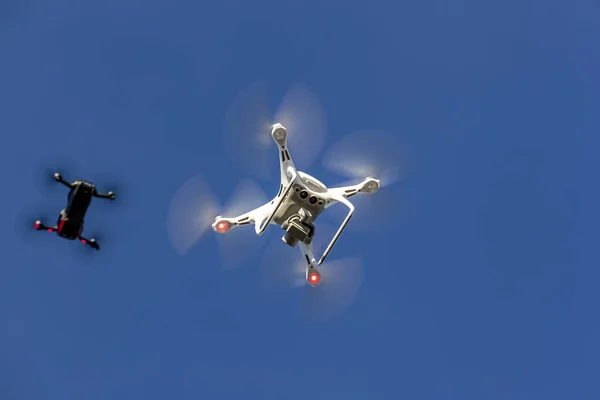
(486, 289)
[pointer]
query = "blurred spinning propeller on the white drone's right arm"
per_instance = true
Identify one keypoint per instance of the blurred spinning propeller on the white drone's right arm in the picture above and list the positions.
(375, 154)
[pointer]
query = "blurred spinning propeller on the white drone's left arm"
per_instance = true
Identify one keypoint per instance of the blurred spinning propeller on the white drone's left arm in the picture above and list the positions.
(193, 210)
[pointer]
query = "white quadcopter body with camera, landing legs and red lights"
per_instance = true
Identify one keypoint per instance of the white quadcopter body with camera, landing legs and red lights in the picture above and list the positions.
(301, 199)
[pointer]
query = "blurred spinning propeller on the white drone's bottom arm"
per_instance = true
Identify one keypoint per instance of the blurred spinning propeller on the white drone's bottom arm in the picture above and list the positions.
(340, 285)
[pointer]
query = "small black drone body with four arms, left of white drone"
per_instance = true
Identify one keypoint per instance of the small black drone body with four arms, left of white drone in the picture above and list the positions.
(71, 219)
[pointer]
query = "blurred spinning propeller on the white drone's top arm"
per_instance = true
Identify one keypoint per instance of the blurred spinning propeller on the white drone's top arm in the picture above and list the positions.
(248, 123)
